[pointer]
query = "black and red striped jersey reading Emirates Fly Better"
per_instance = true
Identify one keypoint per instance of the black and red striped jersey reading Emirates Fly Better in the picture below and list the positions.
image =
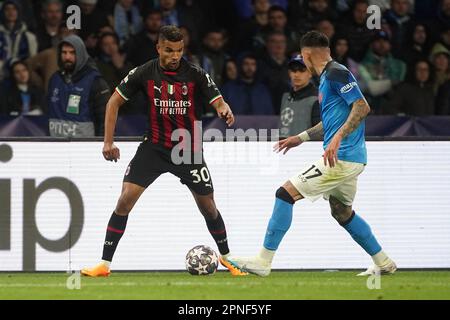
(175, 98)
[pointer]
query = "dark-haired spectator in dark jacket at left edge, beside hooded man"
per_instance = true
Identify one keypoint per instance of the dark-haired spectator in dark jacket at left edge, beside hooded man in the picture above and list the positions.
(22, 98)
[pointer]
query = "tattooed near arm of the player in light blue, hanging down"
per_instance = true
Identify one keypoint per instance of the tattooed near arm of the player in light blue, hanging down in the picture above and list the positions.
(360, 110)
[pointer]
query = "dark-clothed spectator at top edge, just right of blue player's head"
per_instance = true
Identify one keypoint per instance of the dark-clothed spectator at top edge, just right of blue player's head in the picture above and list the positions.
(354, 26)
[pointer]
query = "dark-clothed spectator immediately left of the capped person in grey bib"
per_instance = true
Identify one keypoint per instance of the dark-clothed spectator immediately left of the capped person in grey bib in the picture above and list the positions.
(274, 70)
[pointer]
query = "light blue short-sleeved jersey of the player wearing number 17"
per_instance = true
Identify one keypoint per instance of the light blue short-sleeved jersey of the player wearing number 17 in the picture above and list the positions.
(338, 91)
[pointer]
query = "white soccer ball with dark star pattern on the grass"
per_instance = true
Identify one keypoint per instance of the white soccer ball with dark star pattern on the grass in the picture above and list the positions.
(201, 260)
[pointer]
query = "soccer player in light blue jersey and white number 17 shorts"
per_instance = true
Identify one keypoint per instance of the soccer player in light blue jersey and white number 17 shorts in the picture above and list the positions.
(343, 110)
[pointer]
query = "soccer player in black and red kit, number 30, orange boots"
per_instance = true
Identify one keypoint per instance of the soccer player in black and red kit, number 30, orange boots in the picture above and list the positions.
(175, 90)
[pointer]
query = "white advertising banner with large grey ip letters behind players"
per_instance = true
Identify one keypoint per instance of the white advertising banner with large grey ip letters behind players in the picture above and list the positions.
(56, 199)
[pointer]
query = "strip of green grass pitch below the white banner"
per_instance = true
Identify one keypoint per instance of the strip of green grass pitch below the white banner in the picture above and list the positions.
(222, 286)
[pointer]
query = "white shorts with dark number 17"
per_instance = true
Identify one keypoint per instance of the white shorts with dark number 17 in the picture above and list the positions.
(340, 182)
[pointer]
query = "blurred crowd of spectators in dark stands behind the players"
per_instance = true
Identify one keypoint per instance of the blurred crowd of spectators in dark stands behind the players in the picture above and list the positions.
(247, 46)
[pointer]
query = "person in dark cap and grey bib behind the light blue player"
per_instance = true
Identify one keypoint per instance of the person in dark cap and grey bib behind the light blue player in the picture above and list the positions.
(299, 107)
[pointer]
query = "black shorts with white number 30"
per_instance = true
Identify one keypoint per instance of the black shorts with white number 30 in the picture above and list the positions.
(151, 161)
